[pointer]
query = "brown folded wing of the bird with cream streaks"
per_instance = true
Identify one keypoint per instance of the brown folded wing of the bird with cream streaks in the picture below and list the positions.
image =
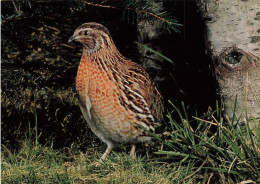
(140, 93)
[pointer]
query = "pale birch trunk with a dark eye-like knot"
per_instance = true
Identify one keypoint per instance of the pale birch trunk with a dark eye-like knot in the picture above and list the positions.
(233, 38)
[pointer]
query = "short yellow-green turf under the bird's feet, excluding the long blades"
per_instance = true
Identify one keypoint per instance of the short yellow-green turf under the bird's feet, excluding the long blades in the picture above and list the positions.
(42, 164)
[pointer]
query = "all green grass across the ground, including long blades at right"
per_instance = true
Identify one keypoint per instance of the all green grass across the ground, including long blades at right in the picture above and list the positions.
(213, 151)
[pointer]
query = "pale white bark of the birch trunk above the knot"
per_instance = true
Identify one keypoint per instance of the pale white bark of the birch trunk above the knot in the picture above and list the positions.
(233, 22)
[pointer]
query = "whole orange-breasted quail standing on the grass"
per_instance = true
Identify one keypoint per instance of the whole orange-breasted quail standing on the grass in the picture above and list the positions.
(118, 99)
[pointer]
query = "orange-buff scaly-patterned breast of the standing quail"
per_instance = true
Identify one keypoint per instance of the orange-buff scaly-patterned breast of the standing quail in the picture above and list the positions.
(94, 83)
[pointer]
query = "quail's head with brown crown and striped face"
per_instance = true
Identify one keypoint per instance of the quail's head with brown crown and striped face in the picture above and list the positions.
(92, 36)
